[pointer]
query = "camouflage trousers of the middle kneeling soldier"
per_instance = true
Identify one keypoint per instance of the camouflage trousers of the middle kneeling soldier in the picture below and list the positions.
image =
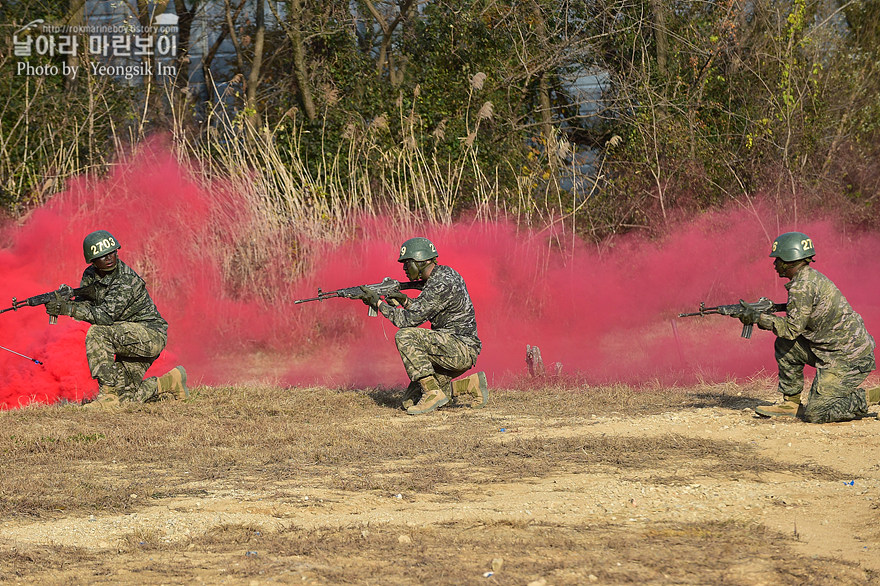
(429, 353)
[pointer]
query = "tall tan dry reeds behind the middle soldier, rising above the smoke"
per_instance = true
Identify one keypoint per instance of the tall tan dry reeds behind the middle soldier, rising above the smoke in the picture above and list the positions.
(295, 206)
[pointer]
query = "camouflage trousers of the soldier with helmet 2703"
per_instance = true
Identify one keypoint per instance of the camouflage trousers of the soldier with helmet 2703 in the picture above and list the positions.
(119, 356)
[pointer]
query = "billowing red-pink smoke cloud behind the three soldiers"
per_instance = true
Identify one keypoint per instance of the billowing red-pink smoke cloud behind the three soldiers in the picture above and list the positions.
(606, 313)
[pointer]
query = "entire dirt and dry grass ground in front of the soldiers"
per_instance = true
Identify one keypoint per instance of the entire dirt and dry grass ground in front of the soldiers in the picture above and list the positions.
(544, 486)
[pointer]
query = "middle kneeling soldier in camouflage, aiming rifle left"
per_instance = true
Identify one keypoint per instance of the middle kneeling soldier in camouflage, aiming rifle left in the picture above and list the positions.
(434, 357)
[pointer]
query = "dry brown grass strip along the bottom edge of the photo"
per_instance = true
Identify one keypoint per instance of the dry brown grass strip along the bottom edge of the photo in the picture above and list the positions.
(715, 553)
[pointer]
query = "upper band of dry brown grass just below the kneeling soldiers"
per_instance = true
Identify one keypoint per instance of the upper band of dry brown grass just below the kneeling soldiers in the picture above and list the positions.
(64, 459)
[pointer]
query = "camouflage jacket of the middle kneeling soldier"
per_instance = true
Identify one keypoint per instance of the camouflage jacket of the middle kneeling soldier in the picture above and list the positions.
(445, 302)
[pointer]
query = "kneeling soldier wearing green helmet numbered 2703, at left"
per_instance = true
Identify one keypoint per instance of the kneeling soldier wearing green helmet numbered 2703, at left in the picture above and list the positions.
(127, 334)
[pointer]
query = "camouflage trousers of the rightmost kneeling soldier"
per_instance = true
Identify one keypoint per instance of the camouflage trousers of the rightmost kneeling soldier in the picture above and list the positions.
(835, 394)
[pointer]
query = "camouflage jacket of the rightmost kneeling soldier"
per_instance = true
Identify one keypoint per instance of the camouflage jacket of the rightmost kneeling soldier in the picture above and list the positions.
(819, 312)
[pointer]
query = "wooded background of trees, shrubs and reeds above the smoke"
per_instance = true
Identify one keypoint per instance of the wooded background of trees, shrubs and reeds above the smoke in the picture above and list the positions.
(706, 102)
